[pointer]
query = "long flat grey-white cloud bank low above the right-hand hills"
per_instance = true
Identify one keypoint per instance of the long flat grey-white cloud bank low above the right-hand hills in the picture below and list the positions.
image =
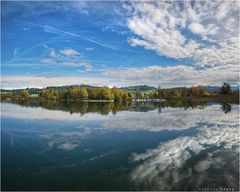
(180, 75)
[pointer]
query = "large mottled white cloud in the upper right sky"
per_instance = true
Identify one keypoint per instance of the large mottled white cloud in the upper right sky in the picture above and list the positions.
(166, 27)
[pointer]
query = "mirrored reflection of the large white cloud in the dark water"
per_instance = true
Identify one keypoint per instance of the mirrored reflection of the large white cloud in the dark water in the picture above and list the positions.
(192, 162)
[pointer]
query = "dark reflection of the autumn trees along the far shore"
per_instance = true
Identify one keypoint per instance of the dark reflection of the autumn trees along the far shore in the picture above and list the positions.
(110, 107)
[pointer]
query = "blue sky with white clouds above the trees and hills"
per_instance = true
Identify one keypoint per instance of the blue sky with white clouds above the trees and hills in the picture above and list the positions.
(119, 43)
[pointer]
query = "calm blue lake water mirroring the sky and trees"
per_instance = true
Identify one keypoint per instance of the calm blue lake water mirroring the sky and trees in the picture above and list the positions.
(141, 146)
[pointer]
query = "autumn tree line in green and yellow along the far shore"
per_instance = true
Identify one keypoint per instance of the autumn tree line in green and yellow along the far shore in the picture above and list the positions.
(116, 94)
